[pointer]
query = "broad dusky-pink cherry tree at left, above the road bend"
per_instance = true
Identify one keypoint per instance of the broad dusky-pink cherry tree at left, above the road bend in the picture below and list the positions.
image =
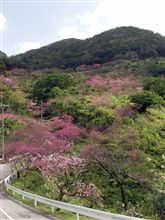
(33, 141)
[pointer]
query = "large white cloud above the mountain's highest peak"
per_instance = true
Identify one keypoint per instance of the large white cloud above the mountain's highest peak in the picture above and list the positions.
(148, 14)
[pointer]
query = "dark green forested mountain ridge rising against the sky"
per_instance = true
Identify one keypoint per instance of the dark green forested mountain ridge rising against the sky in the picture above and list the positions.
(119, 43)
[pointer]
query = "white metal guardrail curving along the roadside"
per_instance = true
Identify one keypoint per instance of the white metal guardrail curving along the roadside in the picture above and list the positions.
(78, 210)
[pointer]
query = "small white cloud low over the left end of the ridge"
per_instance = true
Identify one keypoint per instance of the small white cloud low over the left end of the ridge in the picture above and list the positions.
(27, 45)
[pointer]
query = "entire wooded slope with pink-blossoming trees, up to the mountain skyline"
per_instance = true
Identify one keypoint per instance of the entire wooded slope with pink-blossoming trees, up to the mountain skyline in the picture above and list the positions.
(93, 135)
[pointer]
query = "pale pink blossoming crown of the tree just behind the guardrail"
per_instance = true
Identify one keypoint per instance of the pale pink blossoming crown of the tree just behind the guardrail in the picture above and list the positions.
(62, 170)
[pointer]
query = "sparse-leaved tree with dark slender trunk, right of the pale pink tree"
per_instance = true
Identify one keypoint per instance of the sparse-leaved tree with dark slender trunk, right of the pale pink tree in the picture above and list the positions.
(121, 164)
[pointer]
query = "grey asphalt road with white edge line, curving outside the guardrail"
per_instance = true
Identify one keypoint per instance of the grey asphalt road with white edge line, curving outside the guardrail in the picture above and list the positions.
(10, 209)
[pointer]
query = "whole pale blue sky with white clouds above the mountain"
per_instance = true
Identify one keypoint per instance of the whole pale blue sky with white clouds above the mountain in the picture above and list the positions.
(30, 24)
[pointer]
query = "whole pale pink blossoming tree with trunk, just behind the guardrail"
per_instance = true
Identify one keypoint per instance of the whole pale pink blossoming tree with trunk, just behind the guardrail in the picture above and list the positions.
(66, 173)
